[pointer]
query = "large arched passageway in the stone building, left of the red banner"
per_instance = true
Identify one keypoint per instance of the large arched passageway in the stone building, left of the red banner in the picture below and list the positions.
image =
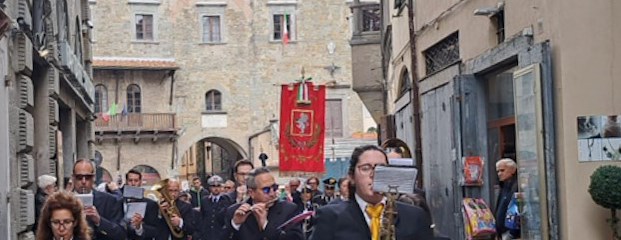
(209, 156)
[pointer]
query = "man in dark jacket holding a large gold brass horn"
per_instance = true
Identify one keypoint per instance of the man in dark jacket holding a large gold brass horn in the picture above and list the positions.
(178, 226)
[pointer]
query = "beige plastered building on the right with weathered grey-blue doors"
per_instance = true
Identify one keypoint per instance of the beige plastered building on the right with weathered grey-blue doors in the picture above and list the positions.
(509, 79)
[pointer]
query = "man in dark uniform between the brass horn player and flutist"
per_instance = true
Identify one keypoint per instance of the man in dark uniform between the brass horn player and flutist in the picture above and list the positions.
(212, 210)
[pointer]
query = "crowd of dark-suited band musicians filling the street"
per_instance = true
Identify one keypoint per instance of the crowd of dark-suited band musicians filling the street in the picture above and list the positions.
(249, 206)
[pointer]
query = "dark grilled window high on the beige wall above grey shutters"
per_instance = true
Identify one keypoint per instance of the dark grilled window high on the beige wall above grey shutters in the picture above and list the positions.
(442, 54)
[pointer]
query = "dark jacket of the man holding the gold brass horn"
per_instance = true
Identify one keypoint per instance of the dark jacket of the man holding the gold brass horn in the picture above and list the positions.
(189, 216)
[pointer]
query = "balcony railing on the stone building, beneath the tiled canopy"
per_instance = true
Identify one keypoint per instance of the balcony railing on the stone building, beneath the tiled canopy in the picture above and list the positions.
(137, 122)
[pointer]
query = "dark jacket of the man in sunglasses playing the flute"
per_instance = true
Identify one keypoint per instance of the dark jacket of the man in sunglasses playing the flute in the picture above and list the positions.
(278, 214)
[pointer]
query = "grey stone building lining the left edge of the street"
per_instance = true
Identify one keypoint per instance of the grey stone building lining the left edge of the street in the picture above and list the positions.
(47, 101)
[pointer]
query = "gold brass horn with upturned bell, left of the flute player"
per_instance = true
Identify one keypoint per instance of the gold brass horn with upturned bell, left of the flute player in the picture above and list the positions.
(160, 190)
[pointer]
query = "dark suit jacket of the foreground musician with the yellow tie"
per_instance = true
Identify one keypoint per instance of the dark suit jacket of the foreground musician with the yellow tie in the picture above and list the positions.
(345, 221)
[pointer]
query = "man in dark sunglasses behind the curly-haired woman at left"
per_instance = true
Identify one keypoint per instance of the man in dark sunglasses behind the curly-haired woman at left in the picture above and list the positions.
(106, 214)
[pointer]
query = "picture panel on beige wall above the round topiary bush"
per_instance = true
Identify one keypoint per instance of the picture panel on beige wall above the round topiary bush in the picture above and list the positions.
(599, 138)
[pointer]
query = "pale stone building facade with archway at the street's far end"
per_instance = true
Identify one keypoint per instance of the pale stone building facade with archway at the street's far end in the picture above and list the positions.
(229, 61)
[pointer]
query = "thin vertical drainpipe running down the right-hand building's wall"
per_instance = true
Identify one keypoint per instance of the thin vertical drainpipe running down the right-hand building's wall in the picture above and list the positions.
(418, 151)
